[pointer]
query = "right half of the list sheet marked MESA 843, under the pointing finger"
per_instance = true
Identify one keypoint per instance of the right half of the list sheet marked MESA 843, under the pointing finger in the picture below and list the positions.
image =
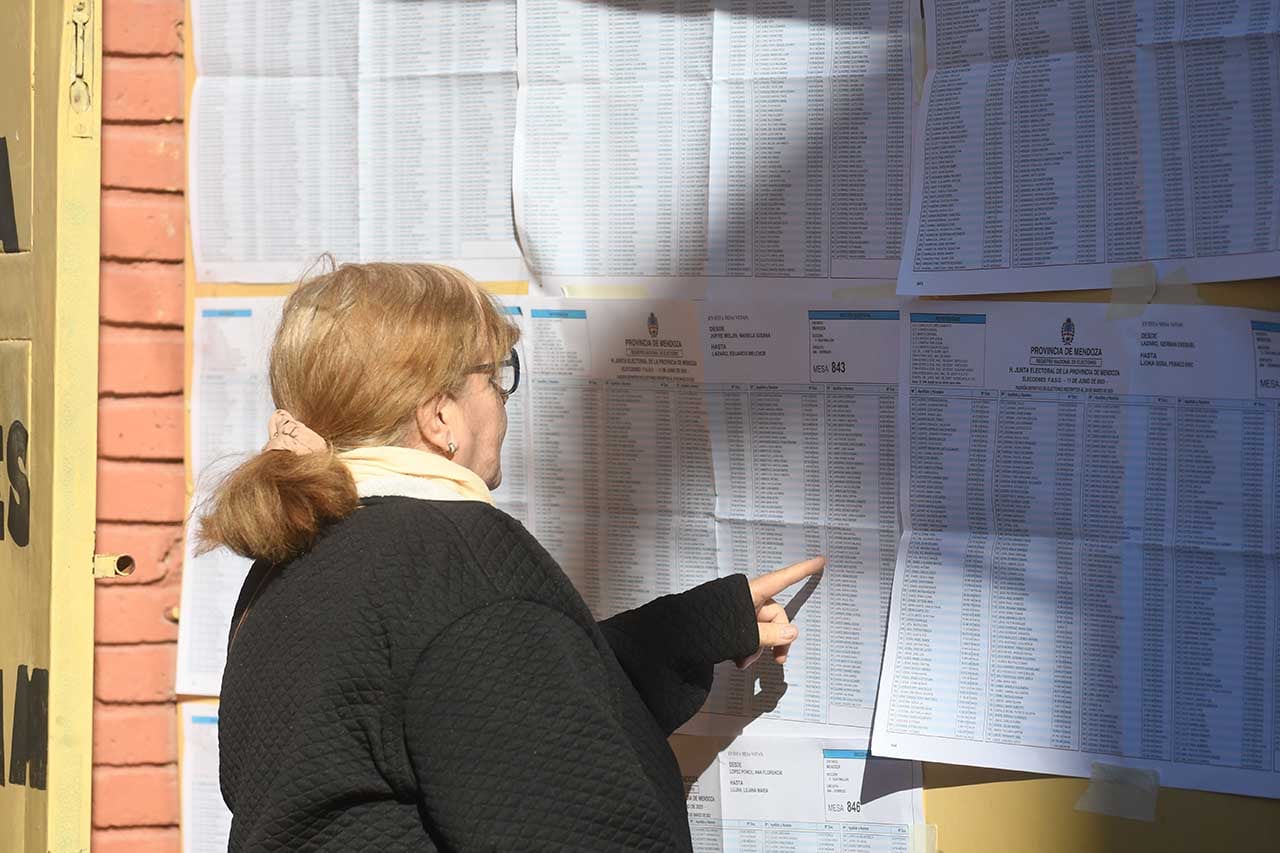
(802, 408)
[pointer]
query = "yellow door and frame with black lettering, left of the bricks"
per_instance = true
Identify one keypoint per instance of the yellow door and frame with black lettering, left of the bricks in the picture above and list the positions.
(51, 113)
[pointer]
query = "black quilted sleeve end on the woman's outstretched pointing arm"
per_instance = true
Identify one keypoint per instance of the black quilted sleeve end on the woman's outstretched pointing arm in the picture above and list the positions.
(670, 646)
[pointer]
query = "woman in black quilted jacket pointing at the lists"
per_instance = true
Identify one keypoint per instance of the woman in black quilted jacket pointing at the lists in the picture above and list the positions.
(408, 668)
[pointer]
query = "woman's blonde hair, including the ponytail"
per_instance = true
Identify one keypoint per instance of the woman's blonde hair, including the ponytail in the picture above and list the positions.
(358, 352)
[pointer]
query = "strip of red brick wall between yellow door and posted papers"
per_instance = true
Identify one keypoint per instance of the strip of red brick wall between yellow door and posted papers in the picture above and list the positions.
(140, 494)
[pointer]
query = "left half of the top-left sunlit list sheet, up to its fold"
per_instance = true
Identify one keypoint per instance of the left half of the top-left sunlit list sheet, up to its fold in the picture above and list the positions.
(272, 138)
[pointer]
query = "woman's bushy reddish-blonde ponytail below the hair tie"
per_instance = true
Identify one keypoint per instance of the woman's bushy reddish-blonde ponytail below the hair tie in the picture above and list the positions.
(275, 505)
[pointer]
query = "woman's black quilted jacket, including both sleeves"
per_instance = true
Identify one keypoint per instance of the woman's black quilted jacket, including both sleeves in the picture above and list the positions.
(427, 678)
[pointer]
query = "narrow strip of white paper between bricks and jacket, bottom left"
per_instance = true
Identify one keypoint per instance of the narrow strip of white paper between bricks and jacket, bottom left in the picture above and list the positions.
(207, 823)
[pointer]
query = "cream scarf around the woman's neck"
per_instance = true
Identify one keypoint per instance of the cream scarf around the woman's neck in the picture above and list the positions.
(404, 472)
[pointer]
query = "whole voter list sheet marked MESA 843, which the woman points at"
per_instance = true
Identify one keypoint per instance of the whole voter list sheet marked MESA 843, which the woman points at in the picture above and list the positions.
(657, 445)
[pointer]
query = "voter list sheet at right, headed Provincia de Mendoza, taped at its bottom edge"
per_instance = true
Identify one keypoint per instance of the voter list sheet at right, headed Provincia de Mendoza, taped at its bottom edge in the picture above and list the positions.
(1089, 569)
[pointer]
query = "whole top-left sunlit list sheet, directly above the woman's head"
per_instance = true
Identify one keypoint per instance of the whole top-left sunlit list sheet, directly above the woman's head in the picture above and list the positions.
(373, 131)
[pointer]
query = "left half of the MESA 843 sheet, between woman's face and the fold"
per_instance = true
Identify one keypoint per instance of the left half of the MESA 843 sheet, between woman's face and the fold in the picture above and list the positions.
(607, 453)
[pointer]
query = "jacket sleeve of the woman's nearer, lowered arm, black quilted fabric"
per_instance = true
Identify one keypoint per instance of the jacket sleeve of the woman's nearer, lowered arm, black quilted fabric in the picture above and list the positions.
(515, 745)
